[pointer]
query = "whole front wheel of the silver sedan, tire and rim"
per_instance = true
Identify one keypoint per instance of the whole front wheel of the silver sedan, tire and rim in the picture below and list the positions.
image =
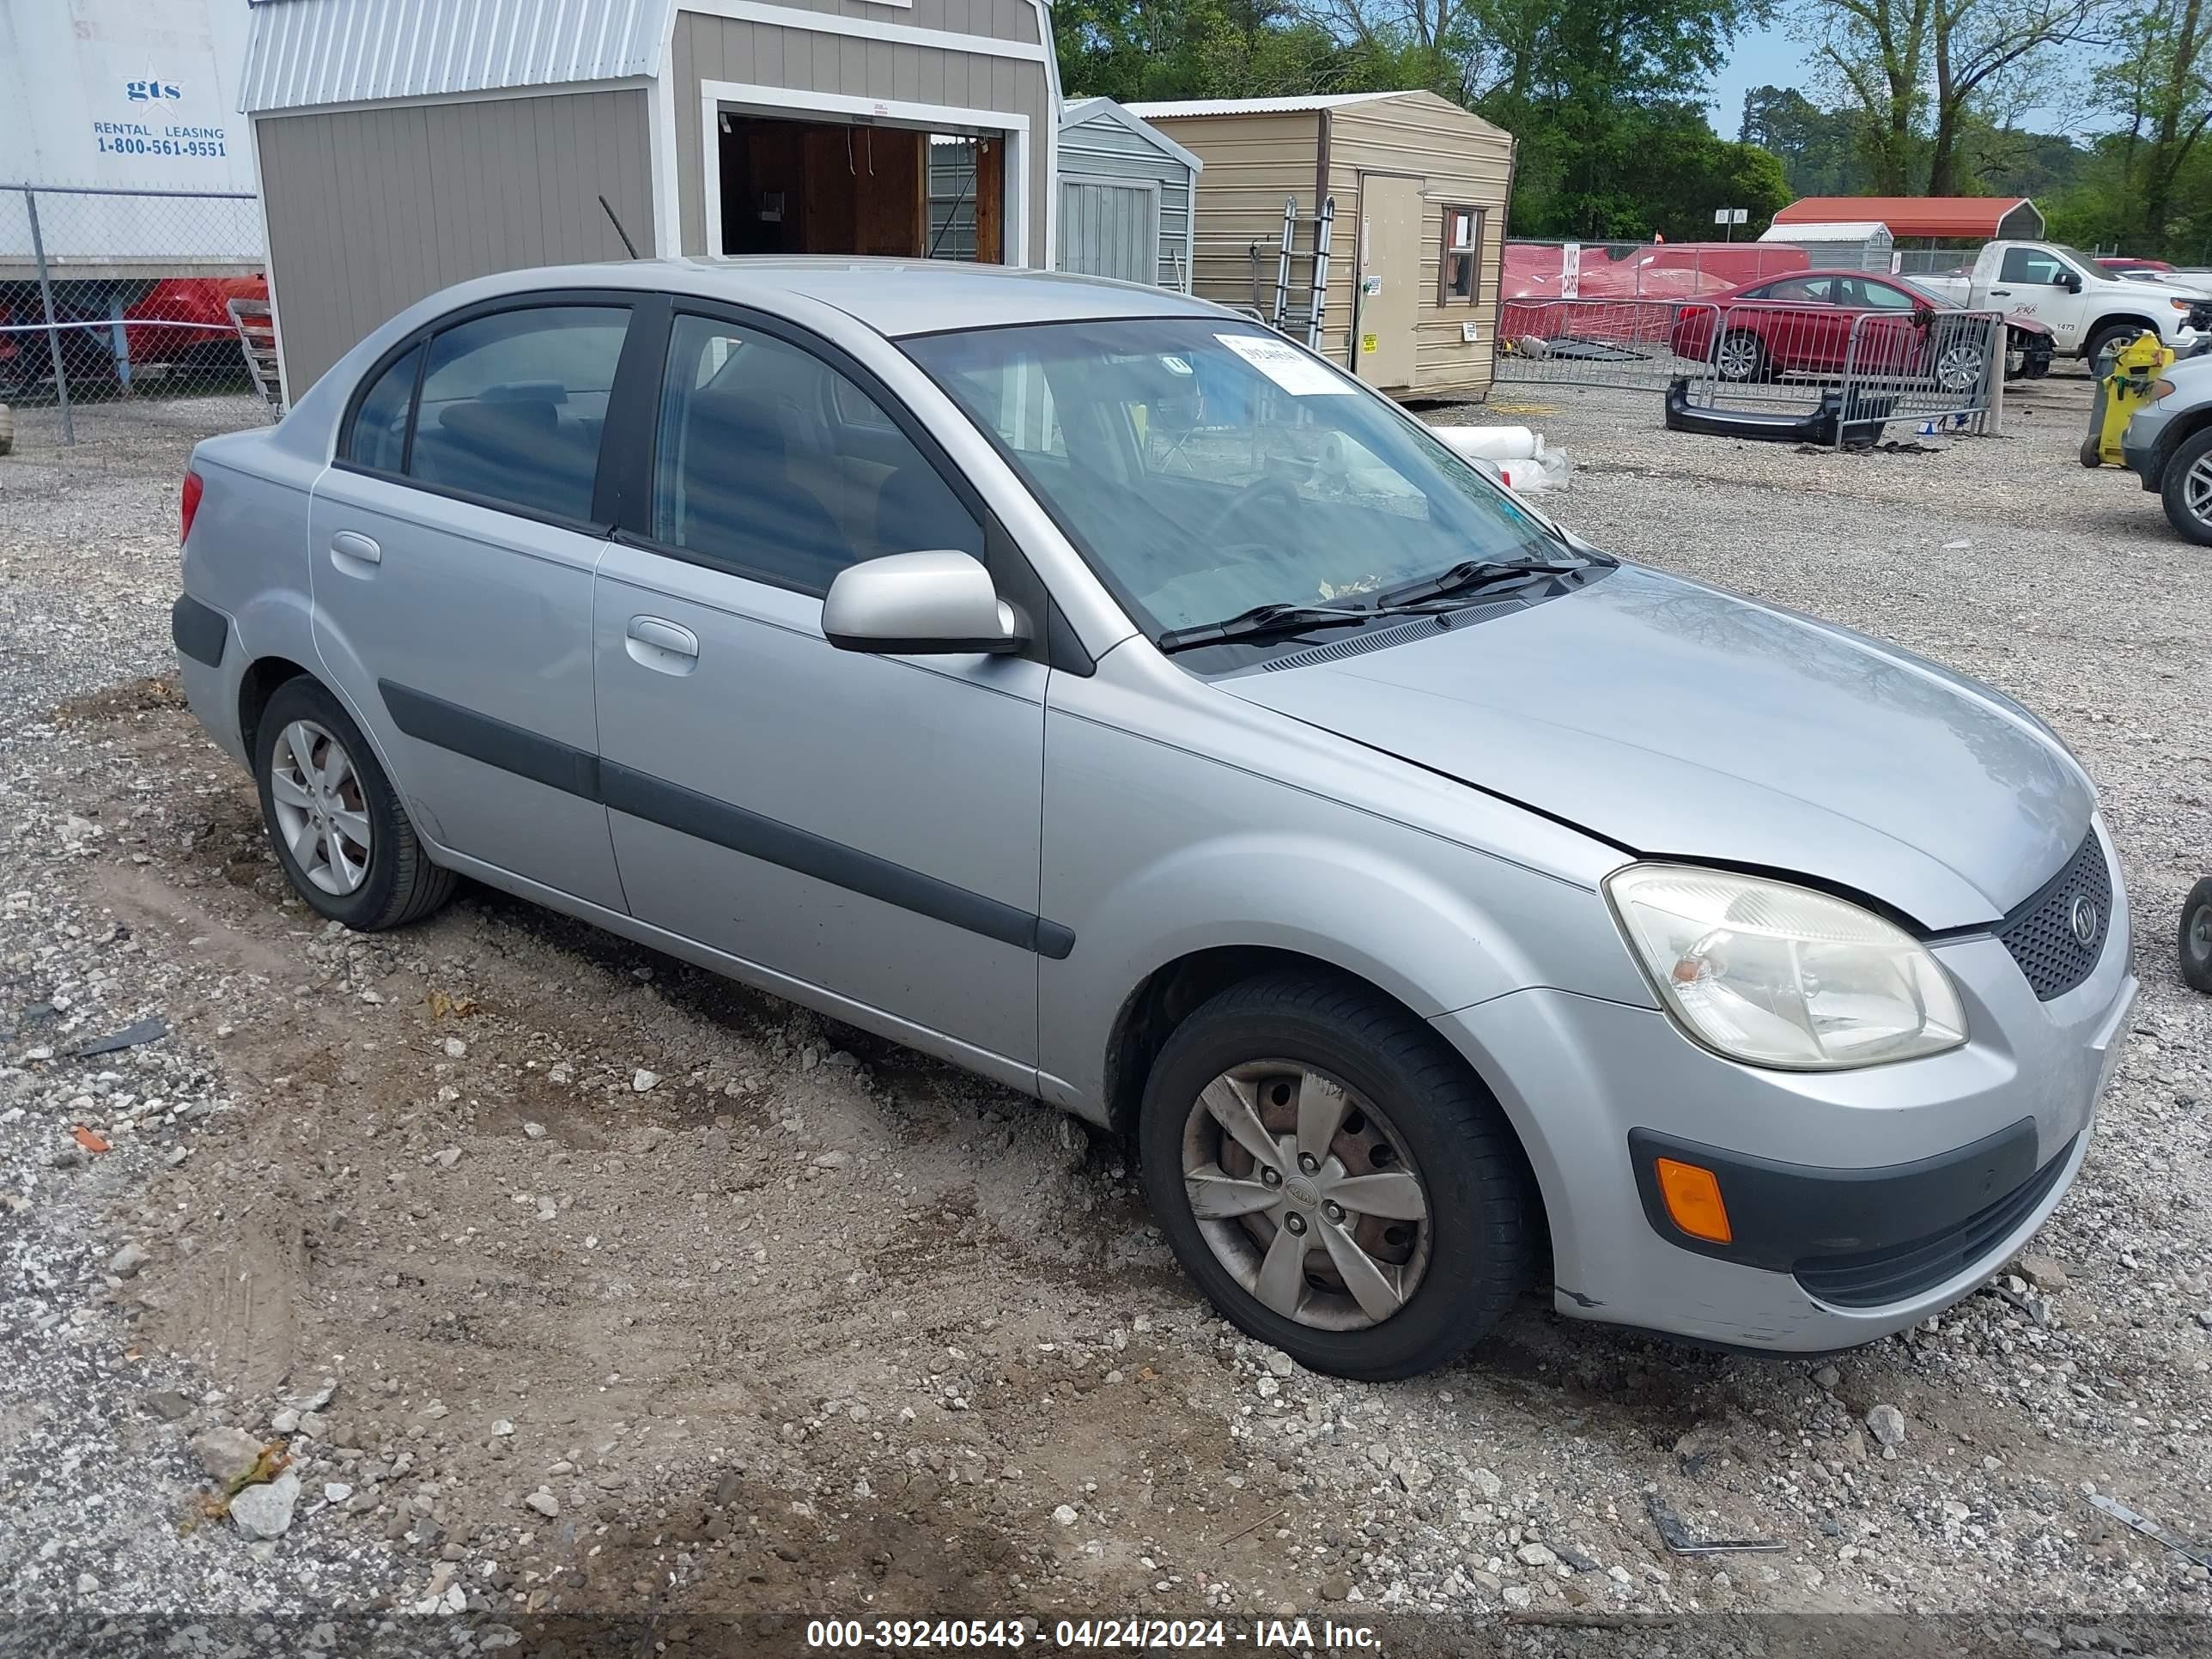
(1335, 1178)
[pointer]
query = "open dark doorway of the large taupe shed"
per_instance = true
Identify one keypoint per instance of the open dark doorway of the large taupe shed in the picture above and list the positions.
(859, 187)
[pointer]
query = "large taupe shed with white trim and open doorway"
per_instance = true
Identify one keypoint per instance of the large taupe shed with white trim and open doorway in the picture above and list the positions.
(410, 145)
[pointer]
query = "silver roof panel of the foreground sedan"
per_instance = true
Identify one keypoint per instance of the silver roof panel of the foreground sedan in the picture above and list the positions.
(890, 295)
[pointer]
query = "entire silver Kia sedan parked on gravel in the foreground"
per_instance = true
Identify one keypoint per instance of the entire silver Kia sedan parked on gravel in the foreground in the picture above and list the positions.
(1107, 696)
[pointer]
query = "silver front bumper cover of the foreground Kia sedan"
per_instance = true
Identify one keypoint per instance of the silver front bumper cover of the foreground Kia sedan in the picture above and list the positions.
(1580, 1076)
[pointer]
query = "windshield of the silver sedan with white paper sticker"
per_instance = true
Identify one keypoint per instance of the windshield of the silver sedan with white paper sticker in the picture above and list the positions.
(1209, 466)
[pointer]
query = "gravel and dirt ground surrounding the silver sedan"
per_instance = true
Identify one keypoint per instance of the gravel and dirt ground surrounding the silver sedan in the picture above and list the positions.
(662, 1315)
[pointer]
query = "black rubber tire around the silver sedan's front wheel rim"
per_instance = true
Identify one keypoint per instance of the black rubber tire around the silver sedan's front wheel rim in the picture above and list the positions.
(1479, 1191)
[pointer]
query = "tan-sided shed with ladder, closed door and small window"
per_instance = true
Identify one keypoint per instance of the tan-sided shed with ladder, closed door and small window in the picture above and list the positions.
(1421, 209)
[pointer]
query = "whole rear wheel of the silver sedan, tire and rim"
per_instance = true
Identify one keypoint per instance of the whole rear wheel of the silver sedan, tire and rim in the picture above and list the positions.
(333, 817)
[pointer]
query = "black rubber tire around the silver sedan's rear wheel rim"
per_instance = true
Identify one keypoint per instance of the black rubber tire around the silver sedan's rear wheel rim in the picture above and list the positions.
(401, 884)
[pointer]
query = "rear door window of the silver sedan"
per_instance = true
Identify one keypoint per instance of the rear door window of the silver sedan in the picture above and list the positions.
(514, 408)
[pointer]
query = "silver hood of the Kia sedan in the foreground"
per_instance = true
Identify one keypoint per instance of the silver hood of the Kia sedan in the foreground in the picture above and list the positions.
(1682, 722)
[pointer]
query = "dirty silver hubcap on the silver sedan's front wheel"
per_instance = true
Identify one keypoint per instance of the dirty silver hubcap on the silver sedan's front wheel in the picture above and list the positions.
(1306, 1193)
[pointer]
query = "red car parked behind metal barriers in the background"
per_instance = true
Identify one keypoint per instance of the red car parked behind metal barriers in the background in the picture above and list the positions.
(1802, 324)
